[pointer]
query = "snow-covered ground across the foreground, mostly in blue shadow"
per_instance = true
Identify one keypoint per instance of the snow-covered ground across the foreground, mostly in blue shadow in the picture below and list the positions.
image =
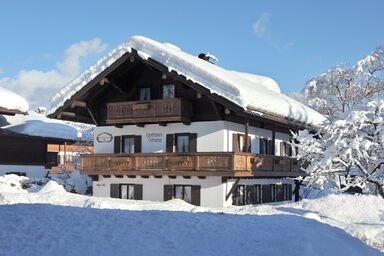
(55, 222)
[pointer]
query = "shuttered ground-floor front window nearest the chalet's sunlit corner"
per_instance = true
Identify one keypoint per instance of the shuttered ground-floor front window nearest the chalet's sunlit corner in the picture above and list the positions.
(188, 193)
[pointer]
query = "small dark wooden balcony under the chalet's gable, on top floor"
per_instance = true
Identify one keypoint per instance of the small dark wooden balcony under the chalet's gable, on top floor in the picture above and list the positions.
(152, 111)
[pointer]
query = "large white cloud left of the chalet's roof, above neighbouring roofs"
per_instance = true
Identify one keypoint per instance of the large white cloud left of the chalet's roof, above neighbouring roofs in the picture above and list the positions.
(38, 86)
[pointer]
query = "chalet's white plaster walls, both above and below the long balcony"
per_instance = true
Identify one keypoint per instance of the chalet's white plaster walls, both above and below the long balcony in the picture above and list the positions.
(212, 136)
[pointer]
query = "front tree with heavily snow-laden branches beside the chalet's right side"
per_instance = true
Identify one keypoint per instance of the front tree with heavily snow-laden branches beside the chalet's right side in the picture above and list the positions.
(353, 147)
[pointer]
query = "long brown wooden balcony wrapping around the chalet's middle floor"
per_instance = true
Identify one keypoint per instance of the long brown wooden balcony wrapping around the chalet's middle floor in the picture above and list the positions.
(226, 164)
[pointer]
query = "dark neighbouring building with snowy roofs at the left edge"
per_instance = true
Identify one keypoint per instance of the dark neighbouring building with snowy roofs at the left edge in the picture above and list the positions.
(27, 138)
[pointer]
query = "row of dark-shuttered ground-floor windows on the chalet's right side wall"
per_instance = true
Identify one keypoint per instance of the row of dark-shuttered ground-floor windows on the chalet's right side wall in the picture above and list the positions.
(257, 194)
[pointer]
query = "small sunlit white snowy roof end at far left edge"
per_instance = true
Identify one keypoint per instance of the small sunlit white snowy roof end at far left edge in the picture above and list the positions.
(12, 101)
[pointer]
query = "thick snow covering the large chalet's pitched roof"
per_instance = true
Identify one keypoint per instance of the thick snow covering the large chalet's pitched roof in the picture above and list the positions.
(252, 92)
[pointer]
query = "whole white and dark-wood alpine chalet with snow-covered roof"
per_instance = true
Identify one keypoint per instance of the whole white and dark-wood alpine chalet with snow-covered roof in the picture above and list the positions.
(172, 125)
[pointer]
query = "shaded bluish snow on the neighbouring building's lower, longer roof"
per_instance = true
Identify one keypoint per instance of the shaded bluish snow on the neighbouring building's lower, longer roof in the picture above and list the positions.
(36, 124)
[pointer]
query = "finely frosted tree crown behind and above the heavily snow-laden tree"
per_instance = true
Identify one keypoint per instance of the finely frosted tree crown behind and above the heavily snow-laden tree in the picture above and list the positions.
(342, 89)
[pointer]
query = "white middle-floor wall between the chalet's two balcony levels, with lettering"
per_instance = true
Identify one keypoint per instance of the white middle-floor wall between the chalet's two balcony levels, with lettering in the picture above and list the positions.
(212, 136)
